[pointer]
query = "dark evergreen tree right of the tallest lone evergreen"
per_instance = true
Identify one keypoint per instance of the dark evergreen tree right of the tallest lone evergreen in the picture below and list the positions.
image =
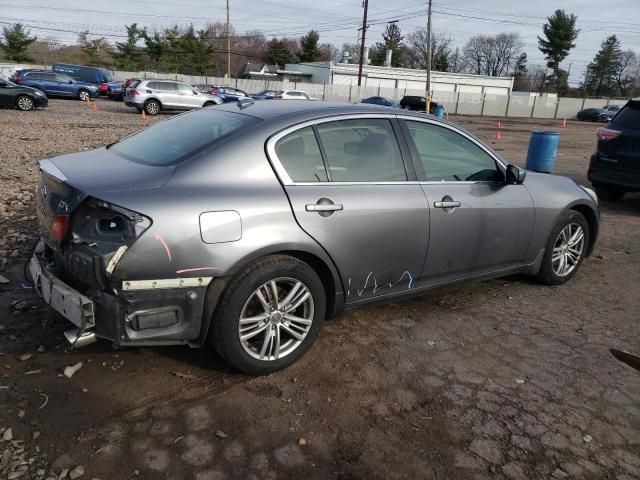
(602, 71)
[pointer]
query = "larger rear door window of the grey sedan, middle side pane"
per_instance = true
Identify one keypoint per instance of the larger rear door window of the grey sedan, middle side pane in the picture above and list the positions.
(362, 150)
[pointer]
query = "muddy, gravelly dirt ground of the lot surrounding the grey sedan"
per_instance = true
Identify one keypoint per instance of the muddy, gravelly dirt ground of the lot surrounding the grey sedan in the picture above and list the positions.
(500, 379)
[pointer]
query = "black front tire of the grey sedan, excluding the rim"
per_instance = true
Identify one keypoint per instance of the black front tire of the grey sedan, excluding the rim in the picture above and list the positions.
(547, 275)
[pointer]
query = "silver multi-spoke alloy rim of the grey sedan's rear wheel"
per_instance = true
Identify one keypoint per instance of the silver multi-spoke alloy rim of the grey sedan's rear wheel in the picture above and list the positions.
(276, 319)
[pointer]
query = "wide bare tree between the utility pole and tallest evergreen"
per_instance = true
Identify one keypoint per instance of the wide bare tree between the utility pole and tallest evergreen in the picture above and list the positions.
(493, 55)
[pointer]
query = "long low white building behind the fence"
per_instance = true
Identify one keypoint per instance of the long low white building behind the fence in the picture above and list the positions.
(400, 78)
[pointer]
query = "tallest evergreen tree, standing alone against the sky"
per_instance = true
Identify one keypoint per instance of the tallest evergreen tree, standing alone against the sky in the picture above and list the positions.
(559, 33)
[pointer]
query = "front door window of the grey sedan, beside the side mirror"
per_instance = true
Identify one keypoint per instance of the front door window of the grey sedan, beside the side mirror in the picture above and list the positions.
(448, 156)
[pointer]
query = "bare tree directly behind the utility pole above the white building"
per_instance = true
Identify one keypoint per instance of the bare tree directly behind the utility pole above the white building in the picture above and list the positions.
(416, 50)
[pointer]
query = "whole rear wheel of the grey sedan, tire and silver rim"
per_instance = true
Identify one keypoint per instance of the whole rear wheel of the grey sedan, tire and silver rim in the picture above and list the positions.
(269, 316)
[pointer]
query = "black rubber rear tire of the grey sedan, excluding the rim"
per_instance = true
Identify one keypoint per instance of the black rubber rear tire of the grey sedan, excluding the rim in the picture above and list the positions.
(225, 336)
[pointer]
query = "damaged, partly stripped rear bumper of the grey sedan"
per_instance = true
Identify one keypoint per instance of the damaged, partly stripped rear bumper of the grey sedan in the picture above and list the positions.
(140, 312)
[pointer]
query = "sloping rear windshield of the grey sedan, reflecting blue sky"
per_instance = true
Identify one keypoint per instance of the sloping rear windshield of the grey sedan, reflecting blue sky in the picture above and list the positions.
(174, 140)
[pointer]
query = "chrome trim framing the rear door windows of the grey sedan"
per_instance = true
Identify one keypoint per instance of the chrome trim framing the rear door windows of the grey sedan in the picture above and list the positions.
(282, 172)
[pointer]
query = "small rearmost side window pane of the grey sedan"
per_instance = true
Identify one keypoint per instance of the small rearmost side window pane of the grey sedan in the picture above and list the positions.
(300, 156)
